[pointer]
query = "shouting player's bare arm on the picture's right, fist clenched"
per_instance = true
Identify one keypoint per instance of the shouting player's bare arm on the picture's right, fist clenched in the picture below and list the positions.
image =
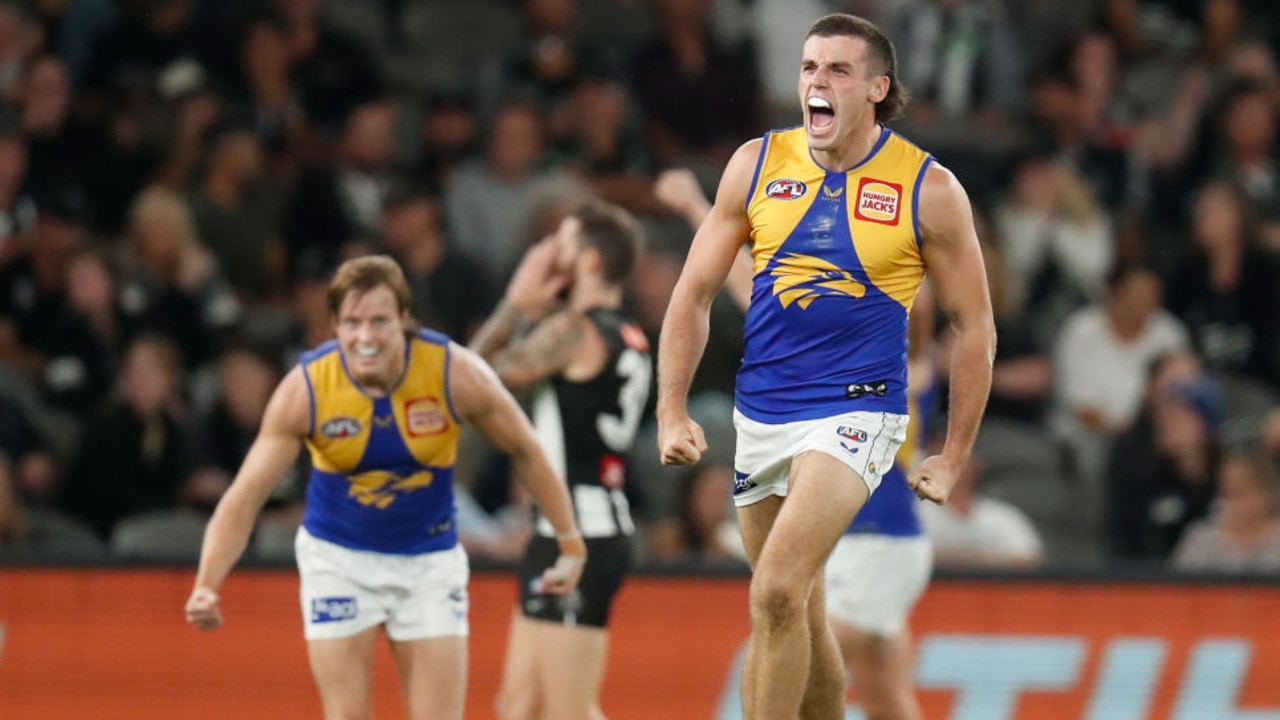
(954, 262)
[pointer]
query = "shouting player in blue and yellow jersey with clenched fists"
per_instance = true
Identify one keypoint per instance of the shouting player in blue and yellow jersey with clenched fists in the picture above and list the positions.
(844, 220)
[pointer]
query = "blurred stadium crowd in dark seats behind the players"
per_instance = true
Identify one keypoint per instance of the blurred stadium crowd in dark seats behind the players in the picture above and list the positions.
(180, 177)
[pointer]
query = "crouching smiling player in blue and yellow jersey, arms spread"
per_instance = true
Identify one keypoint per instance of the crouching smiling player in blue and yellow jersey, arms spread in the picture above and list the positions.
(380, 409)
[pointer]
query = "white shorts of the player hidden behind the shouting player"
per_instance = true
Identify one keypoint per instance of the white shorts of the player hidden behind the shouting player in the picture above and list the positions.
(875, 581)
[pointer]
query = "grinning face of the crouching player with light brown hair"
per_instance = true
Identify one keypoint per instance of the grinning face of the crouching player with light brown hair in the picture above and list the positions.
(371, 330)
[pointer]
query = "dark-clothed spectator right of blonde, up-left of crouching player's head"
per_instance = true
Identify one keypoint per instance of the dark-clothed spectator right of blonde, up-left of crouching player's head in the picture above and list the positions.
(235, 218)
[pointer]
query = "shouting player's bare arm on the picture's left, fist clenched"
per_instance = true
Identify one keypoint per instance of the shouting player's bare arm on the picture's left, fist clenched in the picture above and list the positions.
(685, 327)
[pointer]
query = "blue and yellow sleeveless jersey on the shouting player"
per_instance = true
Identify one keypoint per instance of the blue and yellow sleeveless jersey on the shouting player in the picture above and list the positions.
(836, 262)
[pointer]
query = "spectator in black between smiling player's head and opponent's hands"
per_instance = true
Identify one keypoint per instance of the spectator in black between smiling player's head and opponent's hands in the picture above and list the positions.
(451, 291)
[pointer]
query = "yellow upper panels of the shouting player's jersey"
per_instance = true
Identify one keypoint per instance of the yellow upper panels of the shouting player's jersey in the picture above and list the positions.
(881, 208)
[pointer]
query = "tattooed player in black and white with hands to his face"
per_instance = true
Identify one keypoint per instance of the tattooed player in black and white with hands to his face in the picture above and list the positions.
(561, 332)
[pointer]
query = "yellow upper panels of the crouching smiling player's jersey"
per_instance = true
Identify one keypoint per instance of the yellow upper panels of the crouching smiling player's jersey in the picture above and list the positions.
(345, 418)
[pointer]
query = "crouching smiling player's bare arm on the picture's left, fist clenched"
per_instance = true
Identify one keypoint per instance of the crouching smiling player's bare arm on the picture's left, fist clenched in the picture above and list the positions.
(285, 423)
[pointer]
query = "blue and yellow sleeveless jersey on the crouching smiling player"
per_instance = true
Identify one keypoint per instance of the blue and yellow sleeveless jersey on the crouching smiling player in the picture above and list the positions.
(382, 473)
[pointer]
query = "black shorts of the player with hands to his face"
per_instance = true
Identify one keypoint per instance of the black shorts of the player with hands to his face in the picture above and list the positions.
(609, 560)
